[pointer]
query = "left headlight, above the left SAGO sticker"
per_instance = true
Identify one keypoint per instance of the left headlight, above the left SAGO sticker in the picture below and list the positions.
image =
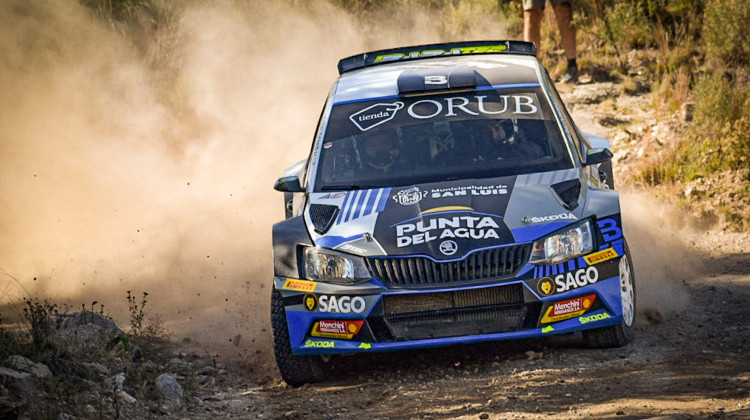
(334, 267)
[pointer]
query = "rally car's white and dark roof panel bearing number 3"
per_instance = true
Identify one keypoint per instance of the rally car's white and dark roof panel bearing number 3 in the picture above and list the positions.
(480, 71)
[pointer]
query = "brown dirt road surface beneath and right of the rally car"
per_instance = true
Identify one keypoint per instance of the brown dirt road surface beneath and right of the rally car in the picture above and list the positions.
(689, 359)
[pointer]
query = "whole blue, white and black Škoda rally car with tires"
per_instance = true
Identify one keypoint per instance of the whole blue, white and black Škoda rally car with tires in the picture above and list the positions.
(448, 198)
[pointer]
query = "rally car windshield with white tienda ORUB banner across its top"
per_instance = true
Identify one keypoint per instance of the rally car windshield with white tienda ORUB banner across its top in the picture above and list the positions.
(410, 140)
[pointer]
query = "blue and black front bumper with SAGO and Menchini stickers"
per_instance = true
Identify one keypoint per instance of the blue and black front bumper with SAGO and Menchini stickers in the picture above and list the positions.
(539, 301)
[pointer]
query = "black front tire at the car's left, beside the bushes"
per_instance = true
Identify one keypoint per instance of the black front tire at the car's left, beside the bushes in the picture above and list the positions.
(295, 370)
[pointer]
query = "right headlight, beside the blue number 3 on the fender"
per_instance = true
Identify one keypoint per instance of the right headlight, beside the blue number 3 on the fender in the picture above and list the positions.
(563, 246)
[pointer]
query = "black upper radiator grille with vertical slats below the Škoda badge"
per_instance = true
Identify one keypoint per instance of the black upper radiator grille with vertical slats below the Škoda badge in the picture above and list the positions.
(415, 272)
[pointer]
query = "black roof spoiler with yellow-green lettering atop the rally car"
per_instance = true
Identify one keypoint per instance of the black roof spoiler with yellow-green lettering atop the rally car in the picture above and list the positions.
(433, 50)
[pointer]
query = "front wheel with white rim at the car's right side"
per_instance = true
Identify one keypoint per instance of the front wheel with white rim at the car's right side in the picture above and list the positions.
(621, 334)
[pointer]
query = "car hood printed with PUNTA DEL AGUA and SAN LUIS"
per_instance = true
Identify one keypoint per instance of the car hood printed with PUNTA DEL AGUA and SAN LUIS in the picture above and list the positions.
(445, 221)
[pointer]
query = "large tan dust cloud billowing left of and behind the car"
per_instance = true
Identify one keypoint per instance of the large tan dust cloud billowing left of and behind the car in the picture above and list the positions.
(143, 160)
